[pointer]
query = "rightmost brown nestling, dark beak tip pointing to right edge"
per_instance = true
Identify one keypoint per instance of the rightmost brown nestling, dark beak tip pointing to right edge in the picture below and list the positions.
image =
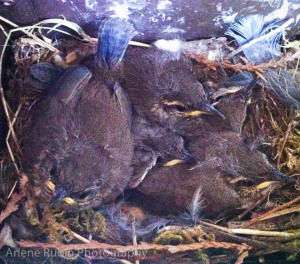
(235, 157)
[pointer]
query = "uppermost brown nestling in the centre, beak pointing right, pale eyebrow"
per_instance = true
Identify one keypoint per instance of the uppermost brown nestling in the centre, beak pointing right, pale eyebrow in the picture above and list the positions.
(162, 88)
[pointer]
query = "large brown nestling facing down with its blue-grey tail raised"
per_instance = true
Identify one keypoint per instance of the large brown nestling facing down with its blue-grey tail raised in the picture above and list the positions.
(78, 148)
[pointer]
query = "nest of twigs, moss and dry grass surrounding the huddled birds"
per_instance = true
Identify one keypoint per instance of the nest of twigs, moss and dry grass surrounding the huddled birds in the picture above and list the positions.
(273, 225)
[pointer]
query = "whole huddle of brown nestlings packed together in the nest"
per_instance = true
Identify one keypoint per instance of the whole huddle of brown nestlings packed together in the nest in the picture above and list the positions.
(138, 119)
